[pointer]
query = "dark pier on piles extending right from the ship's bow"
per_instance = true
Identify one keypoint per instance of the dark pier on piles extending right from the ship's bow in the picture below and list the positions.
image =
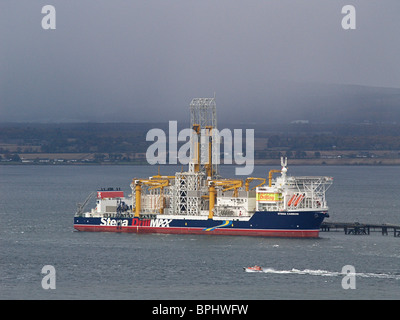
(356, 228)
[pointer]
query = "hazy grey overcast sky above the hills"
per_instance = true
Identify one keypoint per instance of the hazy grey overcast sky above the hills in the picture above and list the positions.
(144, 60)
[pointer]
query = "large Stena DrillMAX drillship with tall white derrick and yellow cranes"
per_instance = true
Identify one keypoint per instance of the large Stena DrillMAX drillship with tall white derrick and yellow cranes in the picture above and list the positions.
(200, 201)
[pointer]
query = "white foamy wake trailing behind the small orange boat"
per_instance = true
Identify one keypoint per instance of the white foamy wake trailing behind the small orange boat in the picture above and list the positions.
(326, 273)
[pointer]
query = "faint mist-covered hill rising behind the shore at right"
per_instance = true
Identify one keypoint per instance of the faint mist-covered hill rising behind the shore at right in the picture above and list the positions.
(324, 103)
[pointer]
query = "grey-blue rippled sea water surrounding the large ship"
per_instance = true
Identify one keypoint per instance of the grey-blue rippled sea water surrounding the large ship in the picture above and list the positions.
(37, 204)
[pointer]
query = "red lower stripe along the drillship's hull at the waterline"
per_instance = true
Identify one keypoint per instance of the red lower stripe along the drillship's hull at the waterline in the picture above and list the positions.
(172, 230)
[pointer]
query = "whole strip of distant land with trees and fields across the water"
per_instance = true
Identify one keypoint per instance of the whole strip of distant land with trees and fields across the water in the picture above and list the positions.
(125, 143)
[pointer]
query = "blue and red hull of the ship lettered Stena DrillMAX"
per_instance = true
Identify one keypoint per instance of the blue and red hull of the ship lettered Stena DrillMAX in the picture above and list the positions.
(302, 224)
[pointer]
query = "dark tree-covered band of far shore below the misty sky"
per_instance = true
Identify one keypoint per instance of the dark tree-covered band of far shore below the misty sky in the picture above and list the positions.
(120, 138)
